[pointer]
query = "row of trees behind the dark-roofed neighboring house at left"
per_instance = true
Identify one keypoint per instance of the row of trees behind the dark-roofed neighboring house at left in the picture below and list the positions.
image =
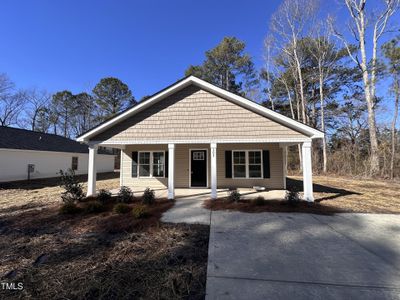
(63, 112)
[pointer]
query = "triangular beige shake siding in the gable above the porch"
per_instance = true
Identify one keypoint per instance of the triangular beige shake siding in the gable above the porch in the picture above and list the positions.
(191, 114)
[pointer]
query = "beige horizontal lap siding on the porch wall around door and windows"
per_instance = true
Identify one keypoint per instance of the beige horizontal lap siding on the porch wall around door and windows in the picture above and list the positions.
(182, 157)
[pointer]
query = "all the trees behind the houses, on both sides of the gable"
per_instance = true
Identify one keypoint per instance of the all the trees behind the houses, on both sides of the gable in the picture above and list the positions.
(343, 80)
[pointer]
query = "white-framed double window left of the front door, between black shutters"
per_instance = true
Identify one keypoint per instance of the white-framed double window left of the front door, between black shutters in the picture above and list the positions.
(151, 164)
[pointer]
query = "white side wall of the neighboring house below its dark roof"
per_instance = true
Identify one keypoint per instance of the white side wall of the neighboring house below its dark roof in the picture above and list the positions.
(14, 163)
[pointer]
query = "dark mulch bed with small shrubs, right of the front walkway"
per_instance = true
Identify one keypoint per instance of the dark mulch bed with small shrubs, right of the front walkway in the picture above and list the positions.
(271, 206)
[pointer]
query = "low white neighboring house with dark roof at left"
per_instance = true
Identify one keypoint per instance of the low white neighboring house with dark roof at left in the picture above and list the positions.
(46, 154)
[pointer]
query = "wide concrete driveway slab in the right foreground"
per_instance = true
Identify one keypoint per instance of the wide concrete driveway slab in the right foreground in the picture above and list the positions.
(303, 256)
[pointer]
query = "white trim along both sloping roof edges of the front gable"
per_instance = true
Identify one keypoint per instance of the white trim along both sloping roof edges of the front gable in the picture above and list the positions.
(184, 82)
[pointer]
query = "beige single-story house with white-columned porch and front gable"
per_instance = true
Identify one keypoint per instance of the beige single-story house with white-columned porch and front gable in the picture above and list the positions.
(195, 134)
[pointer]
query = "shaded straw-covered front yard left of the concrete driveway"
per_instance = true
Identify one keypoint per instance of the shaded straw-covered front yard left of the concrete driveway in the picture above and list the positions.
(102, 256)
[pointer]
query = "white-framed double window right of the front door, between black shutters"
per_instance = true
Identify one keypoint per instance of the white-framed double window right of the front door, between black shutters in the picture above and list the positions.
(247, 164)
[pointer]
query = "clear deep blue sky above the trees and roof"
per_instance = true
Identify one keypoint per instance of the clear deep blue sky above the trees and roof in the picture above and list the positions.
(56, 45)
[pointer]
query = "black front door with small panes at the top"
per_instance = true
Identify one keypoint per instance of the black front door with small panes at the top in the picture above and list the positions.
(198, 168)
